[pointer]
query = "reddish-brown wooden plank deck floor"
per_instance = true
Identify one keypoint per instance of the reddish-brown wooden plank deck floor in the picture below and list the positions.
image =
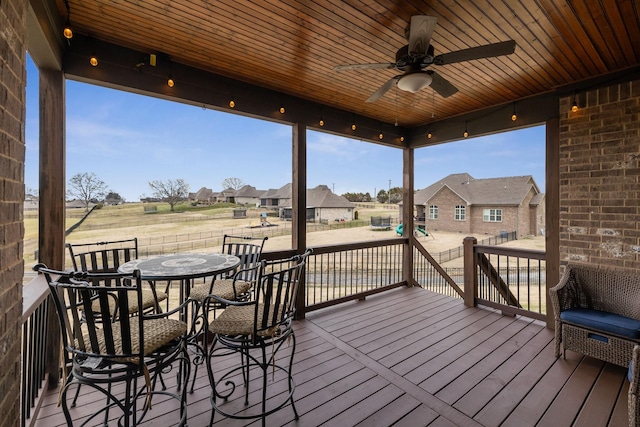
(409, 357)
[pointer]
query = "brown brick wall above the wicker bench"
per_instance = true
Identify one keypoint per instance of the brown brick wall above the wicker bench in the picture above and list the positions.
(600, 177)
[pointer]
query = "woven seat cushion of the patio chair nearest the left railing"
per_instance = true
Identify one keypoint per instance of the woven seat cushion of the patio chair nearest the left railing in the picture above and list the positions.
(157, 333)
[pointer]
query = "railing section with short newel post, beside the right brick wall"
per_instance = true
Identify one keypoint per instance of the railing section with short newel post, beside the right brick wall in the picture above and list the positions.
(510, 279)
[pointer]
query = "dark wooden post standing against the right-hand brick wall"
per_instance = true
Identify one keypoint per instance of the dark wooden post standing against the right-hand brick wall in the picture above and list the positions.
(552, 210)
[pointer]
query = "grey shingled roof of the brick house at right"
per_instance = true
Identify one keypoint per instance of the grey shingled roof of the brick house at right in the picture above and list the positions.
(489, 191)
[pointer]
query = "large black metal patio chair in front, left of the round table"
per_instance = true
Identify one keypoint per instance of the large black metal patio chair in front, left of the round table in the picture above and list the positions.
(120, 356)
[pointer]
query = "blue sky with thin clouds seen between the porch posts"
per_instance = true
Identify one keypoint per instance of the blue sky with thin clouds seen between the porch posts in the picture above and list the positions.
(128, 140)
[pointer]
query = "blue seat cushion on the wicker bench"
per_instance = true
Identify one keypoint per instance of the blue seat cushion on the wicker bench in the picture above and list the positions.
(603, 321)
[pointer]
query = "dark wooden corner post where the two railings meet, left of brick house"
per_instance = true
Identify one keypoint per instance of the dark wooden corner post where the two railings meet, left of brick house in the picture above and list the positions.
(407, 214)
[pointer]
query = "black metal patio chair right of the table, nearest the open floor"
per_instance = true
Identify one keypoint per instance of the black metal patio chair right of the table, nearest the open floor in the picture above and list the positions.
(256, 329)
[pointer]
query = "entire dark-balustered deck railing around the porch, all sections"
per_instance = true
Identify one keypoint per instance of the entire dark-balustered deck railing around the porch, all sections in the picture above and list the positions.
(512, 280)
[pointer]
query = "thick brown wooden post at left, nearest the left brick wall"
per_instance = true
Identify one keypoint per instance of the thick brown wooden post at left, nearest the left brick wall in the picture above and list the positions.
(52, 197)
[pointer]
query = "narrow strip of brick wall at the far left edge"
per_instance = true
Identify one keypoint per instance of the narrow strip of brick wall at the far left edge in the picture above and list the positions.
(12, 149)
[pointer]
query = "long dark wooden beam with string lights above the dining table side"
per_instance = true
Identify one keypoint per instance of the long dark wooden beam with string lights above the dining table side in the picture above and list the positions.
(130, 70)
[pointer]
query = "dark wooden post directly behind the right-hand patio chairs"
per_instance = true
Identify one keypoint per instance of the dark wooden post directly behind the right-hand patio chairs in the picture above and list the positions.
(299, 204)
